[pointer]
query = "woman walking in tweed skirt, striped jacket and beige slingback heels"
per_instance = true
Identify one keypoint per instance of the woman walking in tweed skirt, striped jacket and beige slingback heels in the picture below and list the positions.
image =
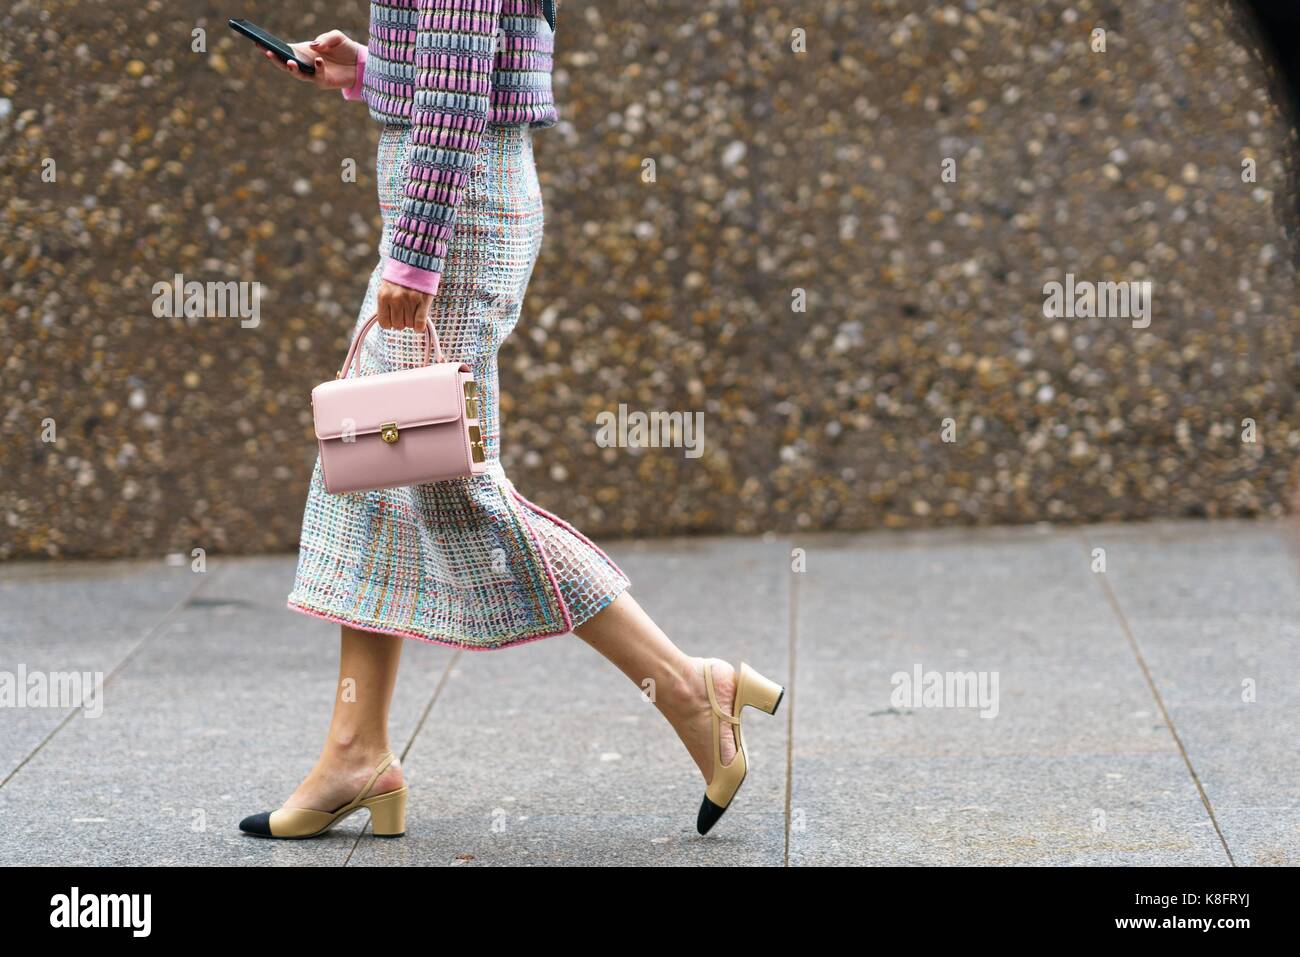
(461, 86)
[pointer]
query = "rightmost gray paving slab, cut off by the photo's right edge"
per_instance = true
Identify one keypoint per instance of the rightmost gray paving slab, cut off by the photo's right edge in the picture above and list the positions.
(1215, 612)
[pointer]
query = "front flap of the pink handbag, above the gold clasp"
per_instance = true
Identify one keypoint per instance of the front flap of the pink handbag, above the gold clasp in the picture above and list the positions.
(362, 405)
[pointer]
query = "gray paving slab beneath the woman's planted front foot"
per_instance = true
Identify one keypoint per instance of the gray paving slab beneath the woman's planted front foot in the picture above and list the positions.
(218, 717)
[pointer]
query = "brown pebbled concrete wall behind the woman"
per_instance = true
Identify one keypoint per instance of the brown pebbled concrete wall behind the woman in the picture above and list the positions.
(840, 263)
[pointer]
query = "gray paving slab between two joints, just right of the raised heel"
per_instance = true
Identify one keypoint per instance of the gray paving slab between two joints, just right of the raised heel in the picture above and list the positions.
(1025, 785)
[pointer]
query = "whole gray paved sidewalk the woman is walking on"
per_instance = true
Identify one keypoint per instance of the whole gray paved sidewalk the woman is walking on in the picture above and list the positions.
(1145, 716)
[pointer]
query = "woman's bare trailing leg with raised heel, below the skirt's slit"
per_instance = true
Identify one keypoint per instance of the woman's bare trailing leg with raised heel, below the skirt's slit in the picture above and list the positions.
(625, 634)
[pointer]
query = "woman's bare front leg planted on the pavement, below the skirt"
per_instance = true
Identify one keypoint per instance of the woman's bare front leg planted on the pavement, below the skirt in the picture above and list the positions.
(359, 731)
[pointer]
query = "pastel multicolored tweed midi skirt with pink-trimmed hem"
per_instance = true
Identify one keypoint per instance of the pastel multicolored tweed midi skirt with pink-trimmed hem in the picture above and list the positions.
(469, 562)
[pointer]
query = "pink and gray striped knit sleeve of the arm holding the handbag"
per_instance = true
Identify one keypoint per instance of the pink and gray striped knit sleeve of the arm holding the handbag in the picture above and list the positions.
(454, 54)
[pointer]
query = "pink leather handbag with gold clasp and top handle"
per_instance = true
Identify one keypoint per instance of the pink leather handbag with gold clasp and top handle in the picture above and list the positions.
(398, 428)
